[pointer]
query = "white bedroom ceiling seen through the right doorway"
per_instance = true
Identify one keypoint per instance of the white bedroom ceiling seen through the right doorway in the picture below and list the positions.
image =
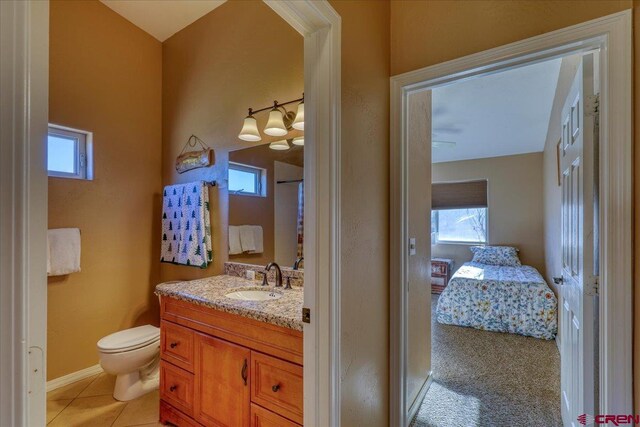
(500, 114)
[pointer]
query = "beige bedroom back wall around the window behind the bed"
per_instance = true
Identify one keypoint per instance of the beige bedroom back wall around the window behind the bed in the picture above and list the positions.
(515, 204)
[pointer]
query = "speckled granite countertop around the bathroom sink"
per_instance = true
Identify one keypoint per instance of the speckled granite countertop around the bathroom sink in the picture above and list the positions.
(210, 292)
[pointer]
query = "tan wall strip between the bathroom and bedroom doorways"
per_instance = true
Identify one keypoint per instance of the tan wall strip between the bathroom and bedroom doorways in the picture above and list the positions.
(365, 213)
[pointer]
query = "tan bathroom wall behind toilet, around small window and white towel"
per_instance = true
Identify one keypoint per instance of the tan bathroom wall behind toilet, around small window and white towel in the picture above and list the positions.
(105, 77)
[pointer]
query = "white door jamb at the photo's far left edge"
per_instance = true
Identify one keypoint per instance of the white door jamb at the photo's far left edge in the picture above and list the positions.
(24, 110)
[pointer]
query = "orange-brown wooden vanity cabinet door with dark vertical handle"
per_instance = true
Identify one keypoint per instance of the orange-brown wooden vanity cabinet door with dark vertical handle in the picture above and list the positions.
(223, 388)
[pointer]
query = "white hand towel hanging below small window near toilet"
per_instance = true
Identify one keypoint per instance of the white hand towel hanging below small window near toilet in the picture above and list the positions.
(64, 251)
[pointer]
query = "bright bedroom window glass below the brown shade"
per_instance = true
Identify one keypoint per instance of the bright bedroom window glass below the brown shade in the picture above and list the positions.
(459, 225)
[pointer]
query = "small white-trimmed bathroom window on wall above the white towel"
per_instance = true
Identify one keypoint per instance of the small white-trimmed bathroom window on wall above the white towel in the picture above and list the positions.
(69, 153)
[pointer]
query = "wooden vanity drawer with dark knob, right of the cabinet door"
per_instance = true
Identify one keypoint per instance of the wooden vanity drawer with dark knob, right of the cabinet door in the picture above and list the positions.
(277, 386)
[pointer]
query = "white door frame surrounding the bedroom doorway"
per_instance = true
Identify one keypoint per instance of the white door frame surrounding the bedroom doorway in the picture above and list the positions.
(614, 36)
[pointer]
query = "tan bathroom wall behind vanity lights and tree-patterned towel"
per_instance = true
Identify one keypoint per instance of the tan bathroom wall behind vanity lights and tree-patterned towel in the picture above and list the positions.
(240, 55)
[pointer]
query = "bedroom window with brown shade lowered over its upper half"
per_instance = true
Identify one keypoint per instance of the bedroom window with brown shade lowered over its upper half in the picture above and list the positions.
(459, 212)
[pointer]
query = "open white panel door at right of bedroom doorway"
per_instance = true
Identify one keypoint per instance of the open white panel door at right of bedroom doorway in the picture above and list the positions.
(578, 282)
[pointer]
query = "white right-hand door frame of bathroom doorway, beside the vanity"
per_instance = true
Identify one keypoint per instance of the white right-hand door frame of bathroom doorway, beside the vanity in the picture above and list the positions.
(321, 27)
